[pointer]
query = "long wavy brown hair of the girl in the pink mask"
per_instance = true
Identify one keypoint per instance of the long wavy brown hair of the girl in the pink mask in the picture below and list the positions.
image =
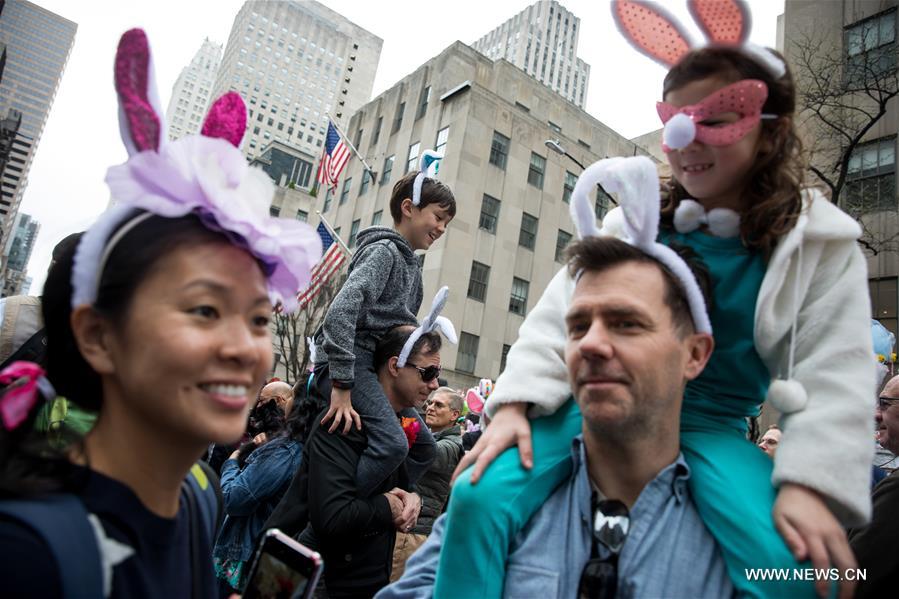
(773, 195)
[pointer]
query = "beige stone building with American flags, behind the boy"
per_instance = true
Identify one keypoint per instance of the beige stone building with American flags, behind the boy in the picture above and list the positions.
(491, 120)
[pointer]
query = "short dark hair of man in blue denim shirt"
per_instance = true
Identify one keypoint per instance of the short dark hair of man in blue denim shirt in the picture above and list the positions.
(596, 254)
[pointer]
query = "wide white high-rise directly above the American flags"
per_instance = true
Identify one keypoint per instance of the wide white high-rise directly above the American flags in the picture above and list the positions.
(294, 63)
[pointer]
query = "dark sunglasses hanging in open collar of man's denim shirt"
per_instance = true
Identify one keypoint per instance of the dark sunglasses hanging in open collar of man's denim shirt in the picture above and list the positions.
(599, 578)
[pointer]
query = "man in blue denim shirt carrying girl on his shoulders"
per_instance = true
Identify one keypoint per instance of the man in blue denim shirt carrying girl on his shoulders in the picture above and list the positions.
(623, 524)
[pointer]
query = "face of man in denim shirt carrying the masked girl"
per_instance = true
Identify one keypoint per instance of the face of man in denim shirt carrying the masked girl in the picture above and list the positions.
(626, 362)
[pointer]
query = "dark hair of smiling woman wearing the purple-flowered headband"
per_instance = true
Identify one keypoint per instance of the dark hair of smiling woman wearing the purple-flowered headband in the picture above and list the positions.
(28, 463)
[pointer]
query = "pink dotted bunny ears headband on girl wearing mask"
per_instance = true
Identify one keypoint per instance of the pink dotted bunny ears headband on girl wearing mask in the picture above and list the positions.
(657, 34)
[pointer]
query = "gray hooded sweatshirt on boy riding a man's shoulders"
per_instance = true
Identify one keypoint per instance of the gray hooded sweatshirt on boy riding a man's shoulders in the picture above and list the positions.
(383, 291)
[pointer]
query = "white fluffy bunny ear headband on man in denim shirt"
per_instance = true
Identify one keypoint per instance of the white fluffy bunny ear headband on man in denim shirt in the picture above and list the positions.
(636, 181)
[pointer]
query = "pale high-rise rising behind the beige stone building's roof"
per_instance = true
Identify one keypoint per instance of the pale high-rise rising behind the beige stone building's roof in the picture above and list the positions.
(542, 40)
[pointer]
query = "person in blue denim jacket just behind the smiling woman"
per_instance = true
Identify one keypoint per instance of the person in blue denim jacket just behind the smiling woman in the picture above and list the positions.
(252, 488)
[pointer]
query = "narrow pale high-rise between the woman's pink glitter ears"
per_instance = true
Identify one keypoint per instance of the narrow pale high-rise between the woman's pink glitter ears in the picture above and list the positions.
(192, 91)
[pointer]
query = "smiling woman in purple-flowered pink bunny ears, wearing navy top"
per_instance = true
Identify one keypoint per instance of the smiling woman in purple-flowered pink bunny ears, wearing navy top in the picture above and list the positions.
(159, 322)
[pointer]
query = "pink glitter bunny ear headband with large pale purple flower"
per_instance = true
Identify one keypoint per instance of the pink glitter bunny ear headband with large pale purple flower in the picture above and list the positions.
(205, 174)
